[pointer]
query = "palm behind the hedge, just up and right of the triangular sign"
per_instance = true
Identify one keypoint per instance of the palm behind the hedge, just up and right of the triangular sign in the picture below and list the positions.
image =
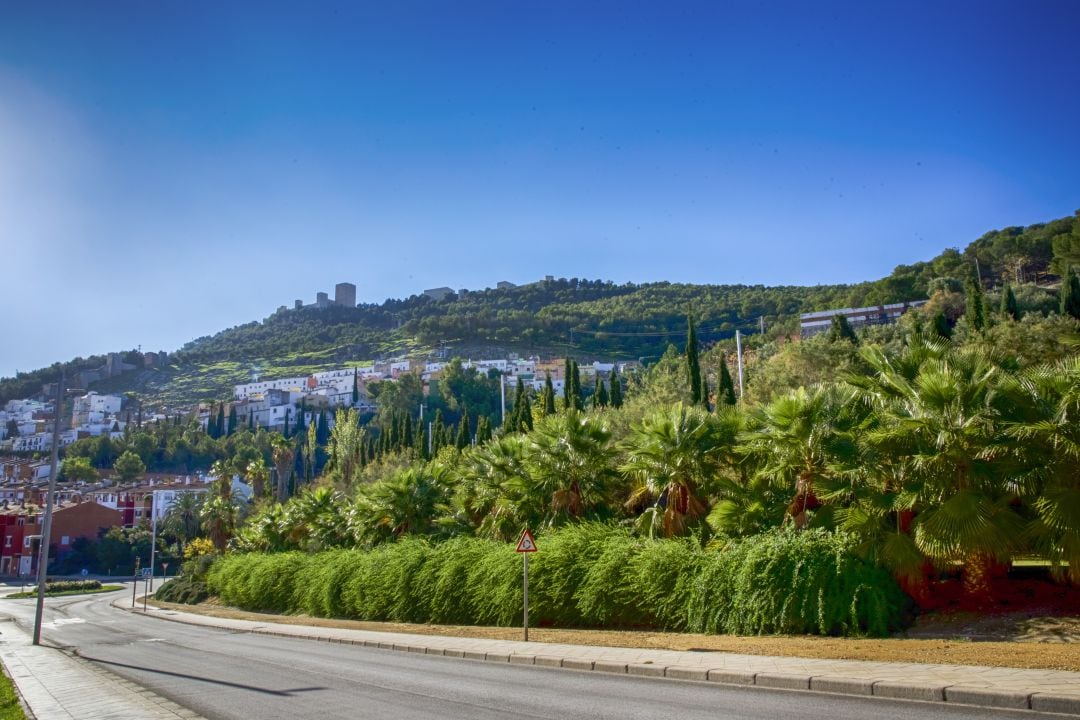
(571, 466)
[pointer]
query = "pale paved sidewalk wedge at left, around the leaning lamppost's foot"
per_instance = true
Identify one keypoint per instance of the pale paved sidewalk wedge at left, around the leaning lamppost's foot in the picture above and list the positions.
(58, 687)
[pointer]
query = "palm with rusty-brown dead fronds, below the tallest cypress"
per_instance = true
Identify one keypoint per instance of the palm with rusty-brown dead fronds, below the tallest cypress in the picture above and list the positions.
(671, 457)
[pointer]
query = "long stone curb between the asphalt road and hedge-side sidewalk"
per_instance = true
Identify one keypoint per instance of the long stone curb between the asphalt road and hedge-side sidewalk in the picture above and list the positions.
(953, 695)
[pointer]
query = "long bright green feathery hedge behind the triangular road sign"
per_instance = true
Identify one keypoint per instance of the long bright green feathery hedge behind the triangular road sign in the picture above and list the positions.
(588, 575)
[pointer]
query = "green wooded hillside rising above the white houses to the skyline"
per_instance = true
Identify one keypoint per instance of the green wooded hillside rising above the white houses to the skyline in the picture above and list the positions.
(583, 318)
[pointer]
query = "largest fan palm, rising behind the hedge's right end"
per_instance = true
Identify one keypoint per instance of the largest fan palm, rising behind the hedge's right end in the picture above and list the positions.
(943, 412)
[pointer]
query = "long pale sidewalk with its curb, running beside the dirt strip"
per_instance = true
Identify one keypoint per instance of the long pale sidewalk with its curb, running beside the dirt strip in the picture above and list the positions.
(1046, 691)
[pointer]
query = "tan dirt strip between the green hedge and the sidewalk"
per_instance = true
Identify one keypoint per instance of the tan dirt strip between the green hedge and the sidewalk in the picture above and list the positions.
(1027, 640)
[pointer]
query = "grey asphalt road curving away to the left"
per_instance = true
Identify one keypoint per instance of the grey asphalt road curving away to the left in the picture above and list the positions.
(225, 675)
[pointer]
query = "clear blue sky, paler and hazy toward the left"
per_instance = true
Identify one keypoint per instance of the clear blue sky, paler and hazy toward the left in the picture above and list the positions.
(171, 169)
